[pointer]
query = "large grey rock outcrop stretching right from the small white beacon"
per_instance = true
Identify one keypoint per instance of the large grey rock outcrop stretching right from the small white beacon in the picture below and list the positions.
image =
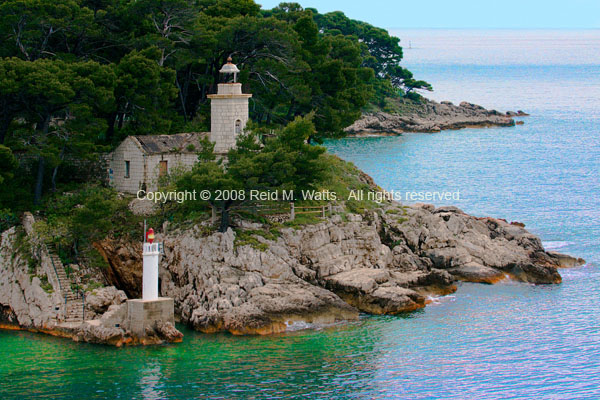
(388, 261)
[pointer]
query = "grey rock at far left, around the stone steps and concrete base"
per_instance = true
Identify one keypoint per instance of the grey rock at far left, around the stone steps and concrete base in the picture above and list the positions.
(30, 298)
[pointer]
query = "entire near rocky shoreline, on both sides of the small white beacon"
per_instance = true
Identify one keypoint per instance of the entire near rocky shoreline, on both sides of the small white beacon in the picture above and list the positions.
(389, 260)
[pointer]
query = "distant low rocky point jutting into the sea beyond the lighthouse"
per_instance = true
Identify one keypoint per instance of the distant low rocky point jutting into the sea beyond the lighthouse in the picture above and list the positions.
(430, 116)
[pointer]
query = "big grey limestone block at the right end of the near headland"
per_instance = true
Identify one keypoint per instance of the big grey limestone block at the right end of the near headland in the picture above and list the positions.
(470, 248)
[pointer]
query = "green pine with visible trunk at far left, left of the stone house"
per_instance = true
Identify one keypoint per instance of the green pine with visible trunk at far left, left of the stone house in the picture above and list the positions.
(57, 102)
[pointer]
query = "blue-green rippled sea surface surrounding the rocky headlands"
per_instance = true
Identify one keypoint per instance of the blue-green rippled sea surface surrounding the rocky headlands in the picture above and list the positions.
(509, 340)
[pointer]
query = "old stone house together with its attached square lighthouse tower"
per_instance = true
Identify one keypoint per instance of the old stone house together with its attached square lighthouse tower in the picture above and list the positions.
(139, 161)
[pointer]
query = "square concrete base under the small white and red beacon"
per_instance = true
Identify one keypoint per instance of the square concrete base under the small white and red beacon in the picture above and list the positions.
(142, 314)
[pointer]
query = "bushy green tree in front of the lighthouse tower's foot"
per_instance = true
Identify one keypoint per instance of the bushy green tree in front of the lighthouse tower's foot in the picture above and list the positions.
(285, 162)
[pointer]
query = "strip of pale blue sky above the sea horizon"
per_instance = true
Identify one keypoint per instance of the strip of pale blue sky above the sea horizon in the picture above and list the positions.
(479, 14)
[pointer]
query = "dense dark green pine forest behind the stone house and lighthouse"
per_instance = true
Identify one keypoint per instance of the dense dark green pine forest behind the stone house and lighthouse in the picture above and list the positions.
(77, 76)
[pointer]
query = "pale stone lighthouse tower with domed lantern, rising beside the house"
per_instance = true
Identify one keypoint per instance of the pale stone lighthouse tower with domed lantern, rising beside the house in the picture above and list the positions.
(228, 110)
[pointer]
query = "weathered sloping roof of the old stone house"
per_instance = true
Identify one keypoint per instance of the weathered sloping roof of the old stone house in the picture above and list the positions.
(178, 143)
